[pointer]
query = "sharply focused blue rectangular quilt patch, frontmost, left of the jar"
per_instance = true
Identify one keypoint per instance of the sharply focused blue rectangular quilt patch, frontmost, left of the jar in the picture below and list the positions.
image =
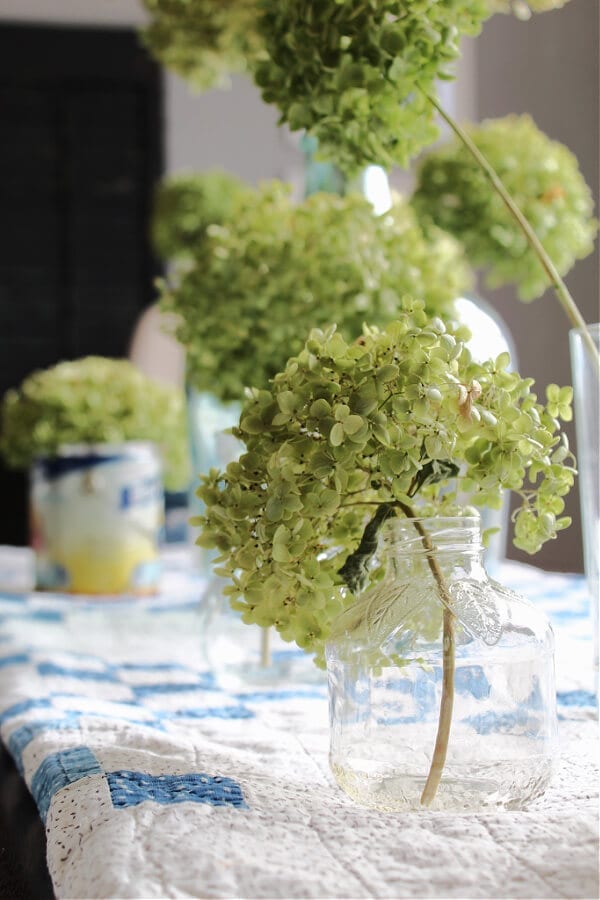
(132, 788)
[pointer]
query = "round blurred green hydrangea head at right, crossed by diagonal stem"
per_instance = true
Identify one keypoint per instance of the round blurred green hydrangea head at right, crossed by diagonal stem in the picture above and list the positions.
(543, 178)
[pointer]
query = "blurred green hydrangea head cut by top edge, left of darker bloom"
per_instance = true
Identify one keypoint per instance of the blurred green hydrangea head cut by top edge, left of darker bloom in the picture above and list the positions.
(203, 40)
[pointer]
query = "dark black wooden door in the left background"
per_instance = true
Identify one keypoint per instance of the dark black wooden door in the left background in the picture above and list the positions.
(80, 149)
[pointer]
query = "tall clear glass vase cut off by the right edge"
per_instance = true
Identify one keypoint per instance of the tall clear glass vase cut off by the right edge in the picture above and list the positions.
(586, 385)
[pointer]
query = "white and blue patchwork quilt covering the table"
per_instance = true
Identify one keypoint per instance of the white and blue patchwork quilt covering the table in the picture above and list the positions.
(154, 782)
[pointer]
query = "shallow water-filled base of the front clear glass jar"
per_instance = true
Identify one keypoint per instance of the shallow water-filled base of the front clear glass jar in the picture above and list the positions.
(500, 785)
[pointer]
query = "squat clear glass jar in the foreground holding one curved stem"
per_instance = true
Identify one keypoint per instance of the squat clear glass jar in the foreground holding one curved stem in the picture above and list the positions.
(436, 655)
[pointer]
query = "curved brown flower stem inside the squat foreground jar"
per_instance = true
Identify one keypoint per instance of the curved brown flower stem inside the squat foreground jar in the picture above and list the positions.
(438, 759)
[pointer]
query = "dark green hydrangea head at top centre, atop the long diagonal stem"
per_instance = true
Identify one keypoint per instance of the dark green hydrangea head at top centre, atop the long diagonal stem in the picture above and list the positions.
(350, 72)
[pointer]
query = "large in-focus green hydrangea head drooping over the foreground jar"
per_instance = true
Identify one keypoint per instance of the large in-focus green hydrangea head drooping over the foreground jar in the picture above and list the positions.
(350, 428)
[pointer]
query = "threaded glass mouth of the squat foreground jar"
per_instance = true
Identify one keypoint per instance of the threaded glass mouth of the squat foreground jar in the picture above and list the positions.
(441, 532)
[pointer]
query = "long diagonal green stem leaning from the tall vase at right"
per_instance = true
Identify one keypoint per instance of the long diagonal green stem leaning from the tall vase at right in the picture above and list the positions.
(562, 292)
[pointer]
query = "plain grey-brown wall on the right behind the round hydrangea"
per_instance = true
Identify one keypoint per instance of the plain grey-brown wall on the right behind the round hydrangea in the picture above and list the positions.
(548, 67)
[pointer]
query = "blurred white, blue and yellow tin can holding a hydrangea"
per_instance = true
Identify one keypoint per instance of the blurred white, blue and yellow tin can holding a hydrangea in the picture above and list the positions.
(96, 514)
